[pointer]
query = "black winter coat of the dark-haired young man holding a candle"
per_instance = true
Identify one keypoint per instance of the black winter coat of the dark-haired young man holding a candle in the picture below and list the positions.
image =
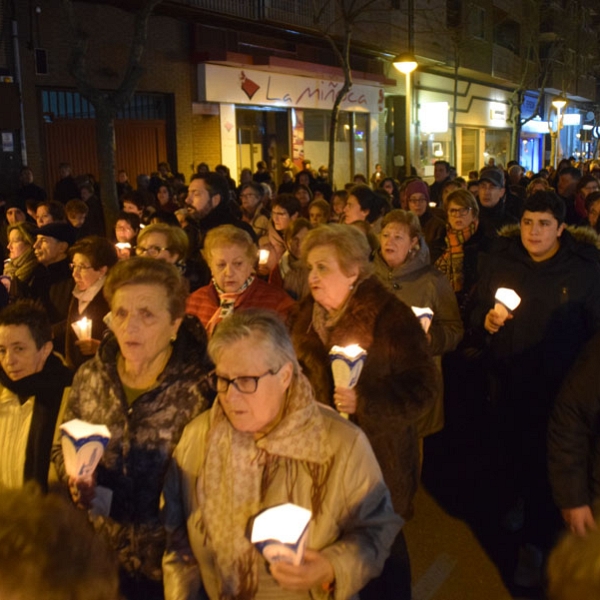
(558, 313)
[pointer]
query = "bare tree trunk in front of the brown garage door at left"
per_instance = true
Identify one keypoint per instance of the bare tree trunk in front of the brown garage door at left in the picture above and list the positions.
(106, 148)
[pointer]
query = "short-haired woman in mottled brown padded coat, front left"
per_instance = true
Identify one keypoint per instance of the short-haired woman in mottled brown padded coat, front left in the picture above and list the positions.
(144, 385)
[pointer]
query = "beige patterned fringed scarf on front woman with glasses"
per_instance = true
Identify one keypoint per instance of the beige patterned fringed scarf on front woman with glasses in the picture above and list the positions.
(238, 471)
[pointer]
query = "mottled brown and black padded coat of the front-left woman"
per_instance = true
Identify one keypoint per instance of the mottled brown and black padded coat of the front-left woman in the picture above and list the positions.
(143, 437)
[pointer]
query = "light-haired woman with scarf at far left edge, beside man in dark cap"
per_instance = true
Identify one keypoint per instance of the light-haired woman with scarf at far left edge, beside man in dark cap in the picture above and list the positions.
(21, 261)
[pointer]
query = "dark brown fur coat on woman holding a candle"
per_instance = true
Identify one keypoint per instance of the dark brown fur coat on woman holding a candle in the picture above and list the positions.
(398, 383)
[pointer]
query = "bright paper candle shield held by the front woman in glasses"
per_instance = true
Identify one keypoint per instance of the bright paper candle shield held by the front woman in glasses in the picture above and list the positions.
(280, 533)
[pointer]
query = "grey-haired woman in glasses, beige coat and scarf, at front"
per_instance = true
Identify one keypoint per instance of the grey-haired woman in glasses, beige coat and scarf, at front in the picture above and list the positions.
(266, 441)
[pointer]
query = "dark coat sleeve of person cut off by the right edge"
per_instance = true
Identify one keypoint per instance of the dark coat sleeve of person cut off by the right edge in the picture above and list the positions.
(574, 433)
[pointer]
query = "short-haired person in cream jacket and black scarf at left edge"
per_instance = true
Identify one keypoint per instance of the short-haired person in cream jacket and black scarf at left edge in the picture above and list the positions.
(32, 383)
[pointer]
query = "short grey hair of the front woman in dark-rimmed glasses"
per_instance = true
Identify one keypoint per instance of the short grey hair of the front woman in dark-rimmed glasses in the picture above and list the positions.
(260, 326)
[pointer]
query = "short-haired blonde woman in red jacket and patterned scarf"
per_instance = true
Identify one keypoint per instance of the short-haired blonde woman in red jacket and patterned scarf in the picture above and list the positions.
(231, 255)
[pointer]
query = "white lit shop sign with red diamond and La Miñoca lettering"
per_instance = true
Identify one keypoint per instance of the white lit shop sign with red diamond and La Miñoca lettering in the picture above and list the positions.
(264, 88)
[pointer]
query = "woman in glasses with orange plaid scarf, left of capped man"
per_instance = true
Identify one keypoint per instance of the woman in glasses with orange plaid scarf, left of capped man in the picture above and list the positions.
(461, 247)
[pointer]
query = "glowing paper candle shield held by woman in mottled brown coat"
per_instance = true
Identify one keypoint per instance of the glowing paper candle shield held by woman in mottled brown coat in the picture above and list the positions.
(83, 446)
